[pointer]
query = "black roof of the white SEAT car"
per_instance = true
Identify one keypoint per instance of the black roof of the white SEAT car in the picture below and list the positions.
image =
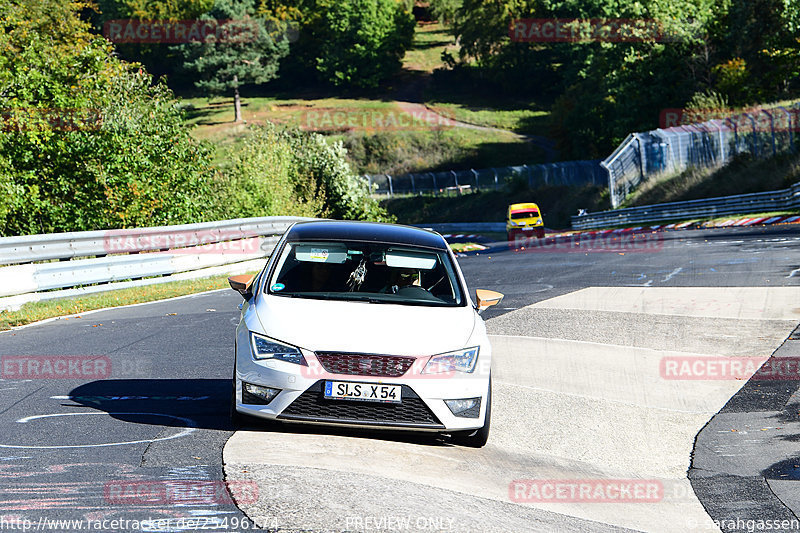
(341, 230)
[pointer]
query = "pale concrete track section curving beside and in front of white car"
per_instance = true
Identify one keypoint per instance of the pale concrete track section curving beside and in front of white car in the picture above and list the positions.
(579, 394)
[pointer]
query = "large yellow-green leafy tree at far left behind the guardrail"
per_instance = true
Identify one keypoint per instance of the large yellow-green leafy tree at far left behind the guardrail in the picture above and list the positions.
(88, 142)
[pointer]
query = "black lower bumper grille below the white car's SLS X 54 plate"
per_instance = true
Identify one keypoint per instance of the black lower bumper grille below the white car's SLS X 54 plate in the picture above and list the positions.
(312, 406)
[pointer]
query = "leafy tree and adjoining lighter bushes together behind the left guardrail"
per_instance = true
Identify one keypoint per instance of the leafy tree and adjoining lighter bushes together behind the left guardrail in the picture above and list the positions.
(93, 142)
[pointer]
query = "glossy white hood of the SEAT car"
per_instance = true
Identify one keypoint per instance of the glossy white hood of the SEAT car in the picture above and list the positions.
(363, 327)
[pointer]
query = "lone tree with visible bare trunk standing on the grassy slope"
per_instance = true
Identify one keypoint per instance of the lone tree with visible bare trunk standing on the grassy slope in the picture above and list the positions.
(227, 63)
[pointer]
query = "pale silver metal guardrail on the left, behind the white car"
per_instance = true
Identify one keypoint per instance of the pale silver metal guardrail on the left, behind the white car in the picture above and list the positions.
(94, 261)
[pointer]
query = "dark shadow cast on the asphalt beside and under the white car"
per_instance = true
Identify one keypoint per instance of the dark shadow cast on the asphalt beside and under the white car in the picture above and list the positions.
(205, 404)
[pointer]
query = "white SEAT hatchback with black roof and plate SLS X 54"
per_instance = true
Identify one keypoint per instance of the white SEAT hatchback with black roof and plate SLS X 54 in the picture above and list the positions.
(364, 324)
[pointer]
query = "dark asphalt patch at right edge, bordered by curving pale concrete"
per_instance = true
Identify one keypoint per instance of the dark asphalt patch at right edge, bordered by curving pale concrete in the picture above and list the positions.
(746, 456)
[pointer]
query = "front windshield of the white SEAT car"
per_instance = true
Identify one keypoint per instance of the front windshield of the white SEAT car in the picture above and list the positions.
(370, 272)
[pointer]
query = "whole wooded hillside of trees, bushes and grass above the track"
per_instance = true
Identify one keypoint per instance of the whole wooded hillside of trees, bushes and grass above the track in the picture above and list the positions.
(101, 134)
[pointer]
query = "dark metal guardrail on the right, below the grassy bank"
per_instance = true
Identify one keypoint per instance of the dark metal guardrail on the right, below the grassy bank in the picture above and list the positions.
(727, 205)
